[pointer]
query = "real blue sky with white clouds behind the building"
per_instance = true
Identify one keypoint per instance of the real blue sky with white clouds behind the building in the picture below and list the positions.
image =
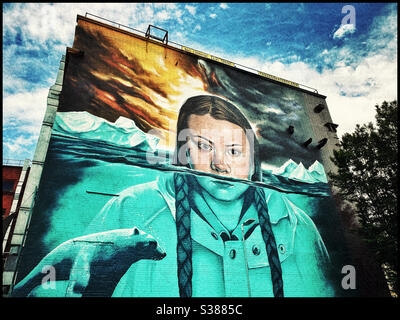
(354, 65)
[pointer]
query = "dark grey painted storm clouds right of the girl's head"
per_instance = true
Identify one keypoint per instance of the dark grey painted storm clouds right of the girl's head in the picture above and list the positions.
(270, 107)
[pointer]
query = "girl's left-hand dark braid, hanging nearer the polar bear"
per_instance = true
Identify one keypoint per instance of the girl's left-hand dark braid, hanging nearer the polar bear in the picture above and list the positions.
(184, 243)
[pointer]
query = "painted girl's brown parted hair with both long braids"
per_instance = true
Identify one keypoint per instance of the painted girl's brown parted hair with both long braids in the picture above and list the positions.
(219, 109)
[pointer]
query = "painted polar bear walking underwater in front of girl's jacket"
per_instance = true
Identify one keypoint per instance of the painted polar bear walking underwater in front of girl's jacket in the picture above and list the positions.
(93, 264)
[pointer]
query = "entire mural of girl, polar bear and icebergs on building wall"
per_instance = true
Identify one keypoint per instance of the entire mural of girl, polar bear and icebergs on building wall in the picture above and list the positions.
(168, 174)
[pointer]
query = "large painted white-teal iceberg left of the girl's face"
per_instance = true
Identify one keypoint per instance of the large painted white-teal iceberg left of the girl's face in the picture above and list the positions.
(123, 132)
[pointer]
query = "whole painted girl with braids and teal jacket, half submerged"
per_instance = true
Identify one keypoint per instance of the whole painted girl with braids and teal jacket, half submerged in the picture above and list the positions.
(222, 234)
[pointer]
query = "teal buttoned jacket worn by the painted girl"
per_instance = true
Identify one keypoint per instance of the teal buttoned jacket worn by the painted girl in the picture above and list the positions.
(231, 268)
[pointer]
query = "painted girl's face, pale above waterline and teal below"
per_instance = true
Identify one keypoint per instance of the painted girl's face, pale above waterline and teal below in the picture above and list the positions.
(219, 147)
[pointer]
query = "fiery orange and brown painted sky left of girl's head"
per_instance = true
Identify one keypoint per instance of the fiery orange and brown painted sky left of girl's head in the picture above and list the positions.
(134, 78)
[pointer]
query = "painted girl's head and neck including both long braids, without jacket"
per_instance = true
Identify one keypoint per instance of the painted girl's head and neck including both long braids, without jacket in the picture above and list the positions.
(219, 141)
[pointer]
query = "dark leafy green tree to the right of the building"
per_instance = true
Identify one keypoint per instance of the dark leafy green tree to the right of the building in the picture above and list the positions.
(367, 177)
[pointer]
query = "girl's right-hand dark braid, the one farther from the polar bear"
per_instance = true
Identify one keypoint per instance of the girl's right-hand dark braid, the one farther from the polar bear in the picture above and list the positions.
(269, 239)
